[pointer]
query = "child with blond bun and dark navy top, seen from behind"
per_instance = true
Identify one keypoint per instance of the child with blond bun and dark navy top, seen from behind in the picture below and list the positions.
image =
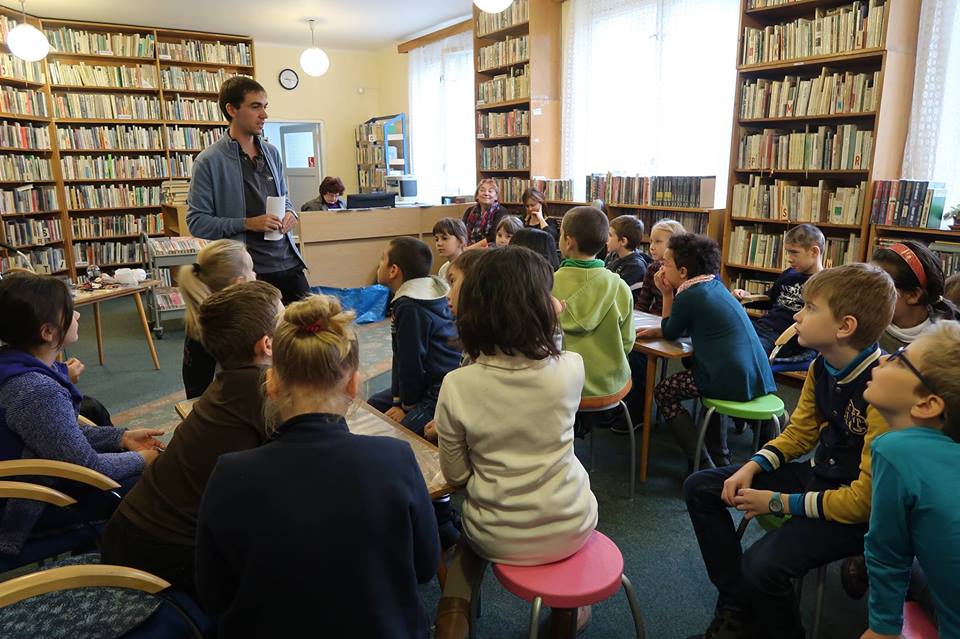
(320, 531)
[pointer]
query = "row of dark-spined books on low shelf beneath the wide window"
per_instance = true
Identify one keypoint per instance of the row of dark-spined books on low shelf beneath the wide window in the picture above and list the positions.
(671, 190)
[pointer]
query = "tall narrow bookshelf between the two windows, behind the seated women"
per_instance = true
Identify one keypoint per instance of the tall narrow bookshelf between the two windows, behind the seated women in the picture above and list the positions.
(517, 71)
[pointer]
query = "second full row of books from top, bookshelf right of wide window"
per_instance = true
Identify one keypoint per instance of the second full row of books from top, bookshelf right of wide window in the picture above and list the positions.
(795, 96)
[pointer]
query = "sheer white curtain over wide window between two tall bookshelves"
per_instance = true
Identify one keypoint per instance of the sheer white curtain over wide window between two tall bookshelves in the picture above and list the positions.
(649, 88)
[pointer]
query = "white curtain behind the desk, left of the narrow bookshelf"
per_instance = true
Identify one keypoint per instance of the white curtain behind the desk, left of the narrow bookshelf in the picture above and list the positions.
(442, 134)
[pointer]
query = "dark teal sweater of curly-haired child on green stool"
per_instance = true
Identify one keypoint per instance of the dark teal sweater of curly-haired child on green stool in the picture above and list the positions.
(728, 361)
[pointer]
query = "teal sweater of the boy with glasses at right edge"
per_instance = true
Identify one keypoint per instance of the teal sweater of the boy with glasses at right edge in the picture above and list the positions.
(916, 472)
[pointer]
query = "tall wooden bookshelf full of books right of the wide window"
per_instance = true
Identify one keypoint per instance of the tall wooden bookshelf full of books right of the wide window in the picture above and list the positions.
(821, 108)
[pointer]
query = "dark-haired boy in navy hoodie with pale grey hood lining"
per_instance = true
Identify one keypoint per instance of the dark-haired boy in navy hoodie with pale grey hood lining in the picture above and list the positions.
(422, 334)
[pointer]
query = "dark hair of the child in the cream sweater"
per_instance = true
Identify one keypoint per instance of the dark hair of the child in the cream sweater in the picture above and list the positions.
(505, 305)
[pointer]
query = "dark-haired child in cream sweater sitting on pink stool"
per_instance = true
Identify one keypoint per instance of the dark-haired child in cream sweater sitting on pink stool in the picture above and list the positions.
(528, 498)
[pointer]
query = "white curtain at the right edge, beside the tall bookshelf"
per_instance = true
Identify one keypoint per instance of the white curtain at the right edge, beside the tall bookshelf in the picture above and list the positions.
(933, 139)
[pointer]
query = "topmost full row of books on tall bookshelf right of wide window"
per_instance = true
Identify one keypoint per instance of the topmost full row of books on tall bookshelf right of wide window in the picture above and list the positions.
(832, 30)
